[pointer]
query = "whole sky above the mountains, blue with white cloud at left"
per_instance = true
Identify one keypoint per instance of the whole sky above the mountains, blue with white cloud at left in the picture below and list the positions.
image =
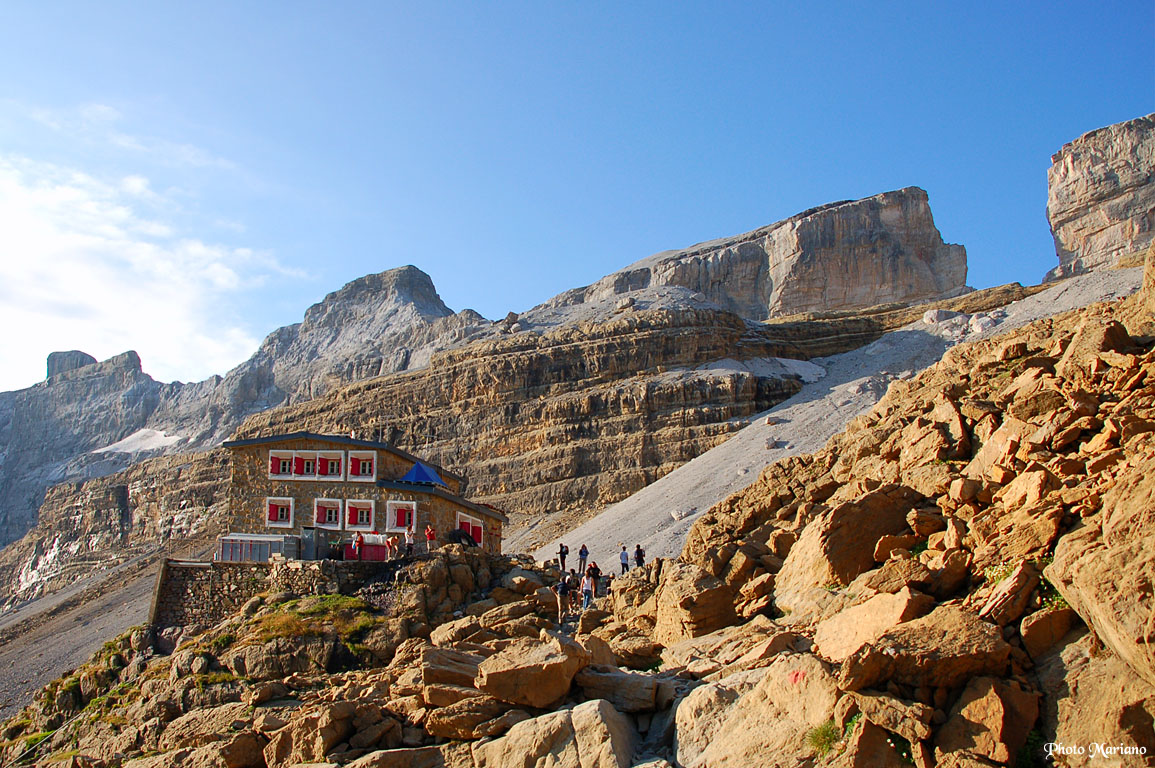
(184, 180)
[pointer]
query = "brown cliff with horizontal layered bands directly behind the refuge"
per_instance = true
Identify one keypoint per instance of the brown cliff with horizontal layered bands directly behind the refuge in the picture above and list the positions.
(573, 419)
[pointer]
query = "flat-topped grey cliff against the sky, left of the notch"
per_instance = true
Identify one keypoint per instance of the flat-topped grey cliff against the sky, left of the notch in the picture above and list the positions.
(844, 256)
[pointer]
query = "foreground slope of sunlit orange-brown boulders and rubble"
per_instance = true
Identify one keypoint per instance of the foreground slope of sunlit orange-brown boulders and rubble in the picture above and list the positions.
(936, 587)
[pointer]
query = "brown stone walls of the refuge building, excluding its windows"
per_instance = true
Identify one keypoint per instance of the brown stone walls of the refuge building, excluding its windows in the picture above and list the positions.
(252, 486)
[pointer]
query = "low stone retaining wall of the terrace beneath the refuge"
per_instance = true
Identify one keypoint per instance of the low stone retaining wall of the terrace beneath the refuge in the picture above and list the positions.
(203, 594)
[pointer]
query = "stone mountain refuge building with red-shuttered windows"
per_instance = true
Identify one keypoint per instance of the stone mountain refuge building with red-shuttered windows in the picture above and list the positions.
(307, 496)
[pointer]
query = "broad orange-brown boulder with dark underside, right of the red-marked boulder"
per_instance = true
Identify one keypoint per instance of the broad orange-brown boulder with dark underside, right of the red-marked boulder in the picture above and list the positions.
(944, 648)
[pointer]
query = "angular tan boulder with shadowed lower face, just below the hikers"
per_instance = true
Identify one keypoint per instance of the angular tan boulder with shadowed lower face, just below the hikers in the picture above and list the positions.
(532, 673)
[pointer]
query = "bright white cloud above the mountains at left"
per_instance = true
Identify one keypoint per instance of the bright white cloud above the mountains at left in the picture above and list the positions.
(91, 265)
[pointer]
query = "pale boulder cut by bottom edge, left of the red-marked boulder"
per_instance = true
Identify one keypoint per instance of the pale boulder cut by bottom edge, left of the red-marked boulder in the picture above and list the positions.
(592, 735)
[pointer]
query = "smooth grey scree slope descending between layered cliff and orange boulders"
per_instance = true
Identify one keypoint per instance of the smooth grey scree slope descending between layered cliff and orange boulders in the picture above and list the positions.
(660, 516)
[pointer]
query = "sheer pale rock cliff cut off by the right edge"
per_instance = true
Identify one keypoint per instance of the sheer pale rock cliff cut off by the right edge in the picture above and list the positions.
(1101, 197)
